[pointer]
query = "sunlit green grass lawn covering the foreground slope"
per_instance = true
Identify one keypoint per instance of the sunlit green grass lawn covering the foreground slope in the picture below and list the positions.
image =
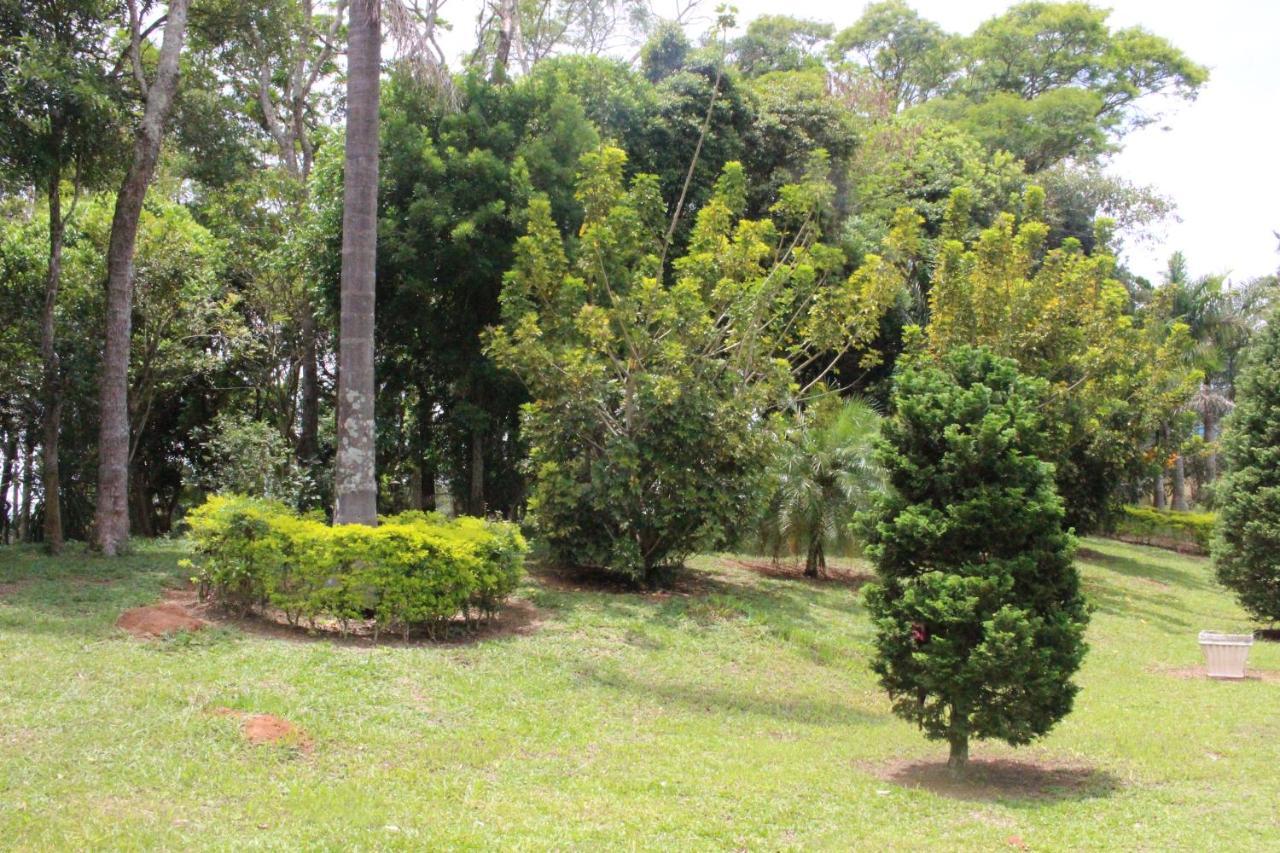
(738, 715)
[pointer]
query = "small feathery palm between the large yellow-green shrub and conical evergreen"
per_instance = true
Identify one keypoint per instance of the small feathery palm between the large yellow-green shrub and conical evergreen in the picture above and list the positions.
(825, 472)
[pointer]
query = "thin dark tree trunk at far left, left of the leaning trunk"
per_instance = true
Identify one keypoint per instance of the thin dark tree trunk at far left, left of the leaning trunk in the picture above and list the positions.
(52, 391)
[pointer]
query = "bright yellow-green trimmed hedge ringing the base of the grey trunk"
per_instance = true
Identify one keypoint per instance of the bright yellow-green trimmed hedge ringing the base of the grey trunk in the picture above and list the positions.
(414, 571)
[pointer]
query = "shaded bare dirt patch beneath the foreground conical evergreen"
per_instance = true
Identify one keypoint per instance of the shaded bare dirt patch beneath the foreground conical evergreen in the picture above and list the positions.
(1000, 779)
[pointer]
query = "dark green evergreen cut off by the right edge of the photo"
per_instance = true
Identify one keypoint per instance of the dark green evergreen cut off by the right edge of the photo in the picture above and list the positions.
(1247, 548)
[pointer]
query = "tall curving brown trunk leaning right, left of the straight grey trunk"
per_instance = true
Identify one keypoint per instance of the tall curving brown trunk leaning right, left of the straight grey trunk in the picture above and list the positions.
(112, 519)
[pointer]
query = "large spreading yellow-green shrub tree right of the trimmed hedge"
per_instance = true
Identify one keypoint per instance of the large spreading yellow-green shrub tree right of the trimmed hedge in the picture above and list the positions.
(648, 399)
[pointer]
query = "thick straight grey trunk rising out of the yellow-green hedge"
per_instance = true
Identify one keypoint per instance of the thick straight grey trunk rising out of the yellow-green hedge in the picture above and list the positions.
(356, 481)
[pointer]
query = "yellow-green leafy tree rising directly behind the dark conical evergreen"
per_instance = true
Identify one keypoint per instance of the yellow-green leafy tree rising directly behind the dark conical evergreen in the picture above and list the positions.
(1064, 318)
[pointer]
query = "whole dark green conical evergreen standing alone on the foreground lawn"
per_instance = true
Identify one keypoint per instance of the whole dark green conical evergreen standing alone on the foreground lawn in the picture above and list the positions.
(979, 613)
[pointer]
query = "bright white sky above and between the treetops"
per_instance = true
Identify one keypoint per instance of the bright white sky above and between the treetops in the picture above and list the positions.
(1215, 158)
